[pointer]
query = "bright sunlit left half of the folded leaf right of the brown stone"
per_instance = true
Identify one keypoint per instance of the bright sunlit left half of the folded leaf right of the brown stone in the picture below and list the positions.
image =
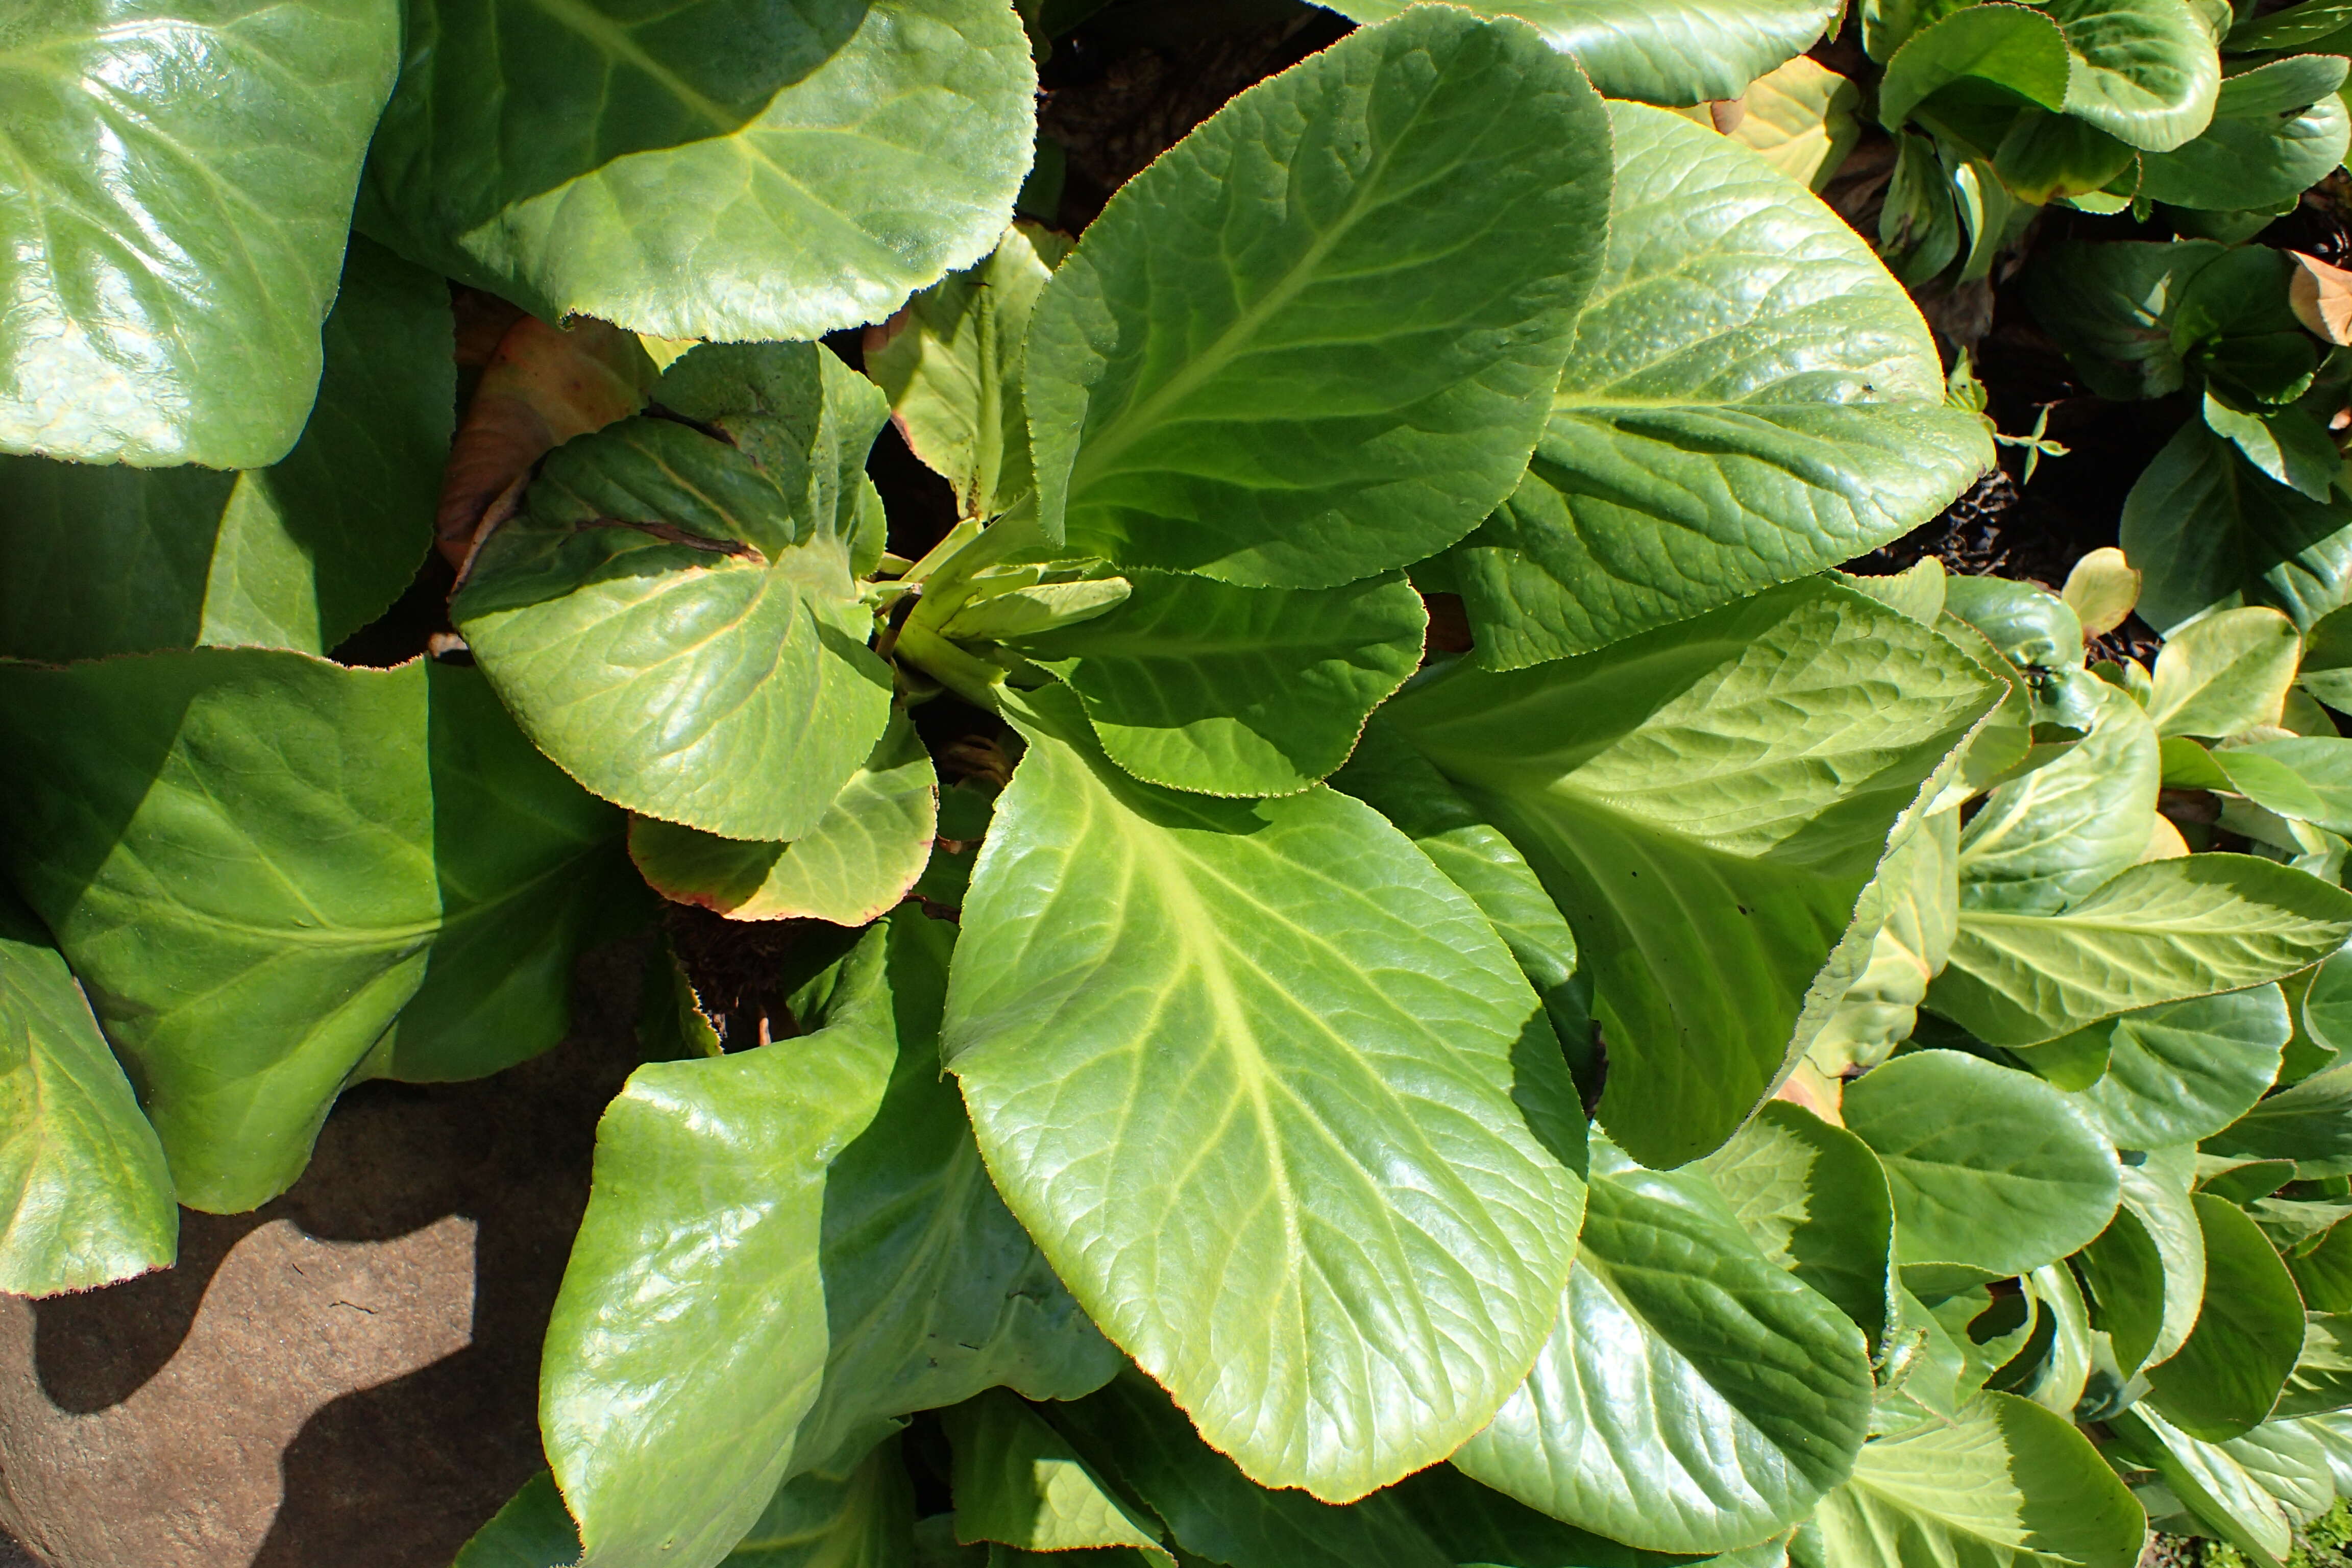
(690, 1332)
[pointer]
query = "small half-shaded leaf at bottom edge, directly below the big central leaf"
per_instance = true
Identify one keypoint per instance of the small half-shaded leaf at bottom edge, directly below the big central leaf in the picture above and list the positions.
(1022, 1485)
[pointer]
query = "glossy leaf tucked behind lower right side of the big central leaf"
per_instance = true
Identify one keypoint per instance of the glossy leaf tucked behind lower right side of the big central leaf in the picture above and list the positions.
(1695, 1395)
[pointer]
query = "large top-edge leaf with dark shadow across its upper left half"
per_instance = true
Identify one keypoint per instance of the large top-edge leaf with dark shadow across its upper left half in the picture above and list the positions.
(709, 168)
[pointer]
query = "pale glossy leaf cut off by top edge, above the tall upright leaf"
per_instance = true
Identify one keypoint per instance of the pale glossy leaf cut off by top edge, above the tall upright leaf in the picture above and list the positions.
(1659, 51)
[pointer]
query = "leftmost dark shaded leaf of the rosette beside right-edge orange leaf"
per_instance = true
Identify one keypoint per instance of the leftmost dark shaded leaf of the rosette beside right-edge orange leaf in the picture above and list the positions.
(2111, 309)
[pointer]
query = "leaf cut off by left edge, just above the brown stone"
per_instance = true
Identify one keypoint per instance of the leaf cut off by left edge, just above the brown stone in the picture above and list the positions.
(83, 1179)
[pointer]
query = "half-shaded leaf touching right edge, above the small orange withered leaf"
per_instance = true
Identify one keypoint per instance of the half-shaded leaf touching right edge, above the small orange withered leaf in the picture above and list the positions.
(2276, 130)
